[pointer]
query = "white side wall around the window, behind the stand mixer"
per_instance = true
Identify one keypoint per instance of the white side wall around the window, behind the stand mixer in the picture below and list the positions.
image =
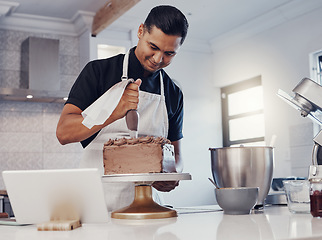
(281, 56)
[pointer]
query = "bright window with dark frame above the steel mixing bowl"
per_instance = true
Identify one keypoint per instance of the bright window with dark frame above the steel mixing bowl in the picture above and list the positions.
(242, 113)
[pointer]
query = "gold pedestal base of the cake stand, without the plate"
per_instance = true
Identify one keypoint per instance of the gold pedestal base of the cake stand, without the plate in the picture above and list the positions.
(143, 206)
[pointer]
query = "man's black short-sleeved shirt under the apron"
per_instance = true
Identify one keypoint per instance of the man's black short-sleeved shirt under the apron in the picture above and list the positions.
(100, 75)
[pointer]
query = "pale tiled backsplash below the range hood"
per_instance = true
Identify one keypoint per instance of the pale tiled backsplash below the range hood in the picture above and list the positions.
(28, 138)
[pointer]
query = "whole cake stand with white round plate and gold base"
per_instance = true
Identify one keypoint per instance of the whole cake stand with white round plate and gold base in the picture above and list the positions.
(143, 205)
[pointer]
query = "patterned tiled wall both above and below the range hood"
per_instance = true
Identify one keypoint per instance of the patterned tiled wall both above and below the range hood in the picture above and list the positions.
(28, 129)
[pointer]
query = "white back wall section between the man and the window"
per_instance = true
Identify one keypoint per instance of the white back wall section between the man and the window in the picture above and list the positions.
(202, 125)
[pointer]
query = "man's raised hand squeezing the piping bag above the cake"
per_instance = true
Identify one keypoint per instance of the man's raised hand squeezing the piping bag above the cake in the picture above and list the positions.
(128, 101)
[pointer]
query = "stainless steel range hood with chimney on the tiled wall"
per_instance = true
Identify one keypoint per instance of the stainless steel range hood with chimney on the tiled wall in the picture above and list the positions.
(39, 75)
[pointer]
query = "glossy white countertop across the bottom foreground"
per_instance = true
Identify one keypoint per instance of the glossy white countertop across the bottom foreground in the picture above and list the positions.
(274, 222)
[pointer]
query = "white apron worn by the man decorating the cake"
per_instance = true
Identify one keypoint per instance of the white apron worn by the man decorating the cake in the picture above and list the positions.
(153, 121)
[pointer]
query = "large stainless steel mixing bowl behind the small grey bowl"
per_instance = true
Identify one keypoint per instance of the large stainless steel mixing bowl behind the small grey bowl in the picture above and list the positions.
(243, 167)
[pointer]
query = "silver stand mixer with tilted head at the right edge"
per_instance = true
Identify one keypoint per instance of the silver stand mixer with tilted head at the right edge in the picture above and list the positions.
(308, 100)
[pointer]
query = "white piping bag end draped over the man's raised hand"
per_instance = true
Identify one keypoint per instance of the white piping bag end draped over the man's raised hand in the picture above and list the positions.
(102, 108)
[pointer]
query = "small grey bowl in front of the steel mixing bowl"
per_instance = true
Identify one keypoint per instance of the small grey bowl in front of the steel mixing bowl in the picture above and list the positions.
(237, 201)
